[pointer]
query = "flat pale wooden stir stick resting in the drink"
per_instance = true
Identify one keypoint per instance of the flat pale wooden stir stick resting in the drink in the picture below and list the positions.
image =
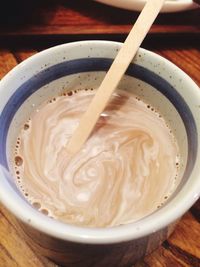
(114, 74)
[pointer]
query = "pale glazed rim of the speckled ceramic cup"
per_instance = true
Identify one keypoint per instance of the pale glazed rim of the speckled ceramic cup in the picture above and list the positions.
(146, 226)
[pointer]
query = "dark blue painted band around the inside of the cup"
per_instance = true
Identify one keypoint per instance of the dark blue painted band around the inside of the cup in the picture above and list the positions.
(97, 64)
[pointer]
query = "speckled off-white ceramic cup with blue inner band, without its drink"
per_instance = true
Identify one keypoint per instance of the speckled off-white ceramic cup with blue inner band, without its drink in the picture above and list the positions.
(83, 65)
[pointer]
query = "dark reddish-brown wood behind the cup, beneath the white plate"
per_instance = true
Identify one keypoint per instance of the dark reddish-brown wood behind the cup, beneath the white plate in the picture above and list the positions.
(60, 17)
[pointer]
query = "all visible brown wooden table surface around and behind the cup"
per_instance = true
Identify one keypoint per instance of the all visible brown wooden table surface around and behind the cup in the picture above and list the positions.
(174, 36)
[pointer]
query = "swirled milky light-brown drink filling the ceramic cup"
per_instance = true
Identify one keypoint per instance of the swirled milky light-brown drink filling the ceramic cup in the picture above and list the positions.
(126, 170)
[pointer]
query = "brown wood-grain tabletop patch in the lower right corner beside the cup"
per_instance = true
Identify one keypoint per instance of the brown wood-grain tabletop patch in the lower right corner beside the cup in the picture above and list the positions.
(182, 248)
